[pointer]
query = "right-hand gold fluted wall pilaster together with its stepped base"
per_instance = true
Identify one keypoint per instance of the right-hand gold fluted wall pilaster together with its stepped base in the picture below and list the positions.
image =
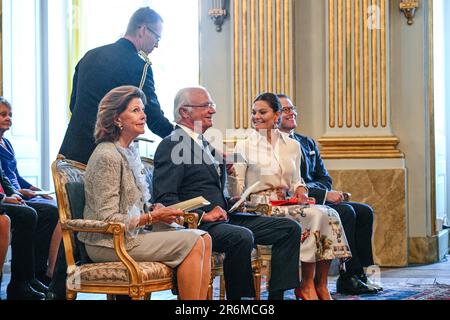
(358, 81)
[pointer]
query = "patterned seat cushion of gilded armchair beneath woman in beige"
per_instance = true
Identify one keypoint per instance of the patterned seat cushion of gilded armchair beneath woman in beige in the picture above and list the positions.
(116, 273)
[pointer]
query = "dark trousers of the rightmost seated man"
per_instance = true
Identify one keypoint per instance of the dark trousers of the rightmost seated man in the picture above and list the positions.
(357, 220)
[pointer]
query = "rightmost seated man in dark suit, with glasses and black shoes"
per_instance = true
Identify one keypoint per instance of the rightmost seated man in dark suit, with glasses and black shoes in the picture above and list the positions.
(357, 218)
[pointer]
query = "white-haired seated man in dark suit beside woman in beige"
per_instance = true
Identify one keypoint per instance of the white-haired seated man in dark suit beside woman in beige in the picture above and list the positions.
(186, 166)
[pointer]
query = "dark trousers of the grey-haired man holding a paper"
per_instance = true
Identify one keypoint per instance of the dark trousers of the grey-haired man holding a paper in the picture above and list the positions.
(237, 240)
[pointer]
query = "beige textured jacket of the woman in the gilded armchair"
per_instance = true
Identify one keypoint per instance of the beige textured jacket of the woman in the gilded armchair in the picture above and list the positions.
(110, 191)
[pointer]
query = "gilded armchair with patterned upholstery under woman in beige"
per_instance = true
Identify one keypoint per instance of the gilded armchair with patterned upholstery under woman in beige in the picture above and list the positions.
(126, 277)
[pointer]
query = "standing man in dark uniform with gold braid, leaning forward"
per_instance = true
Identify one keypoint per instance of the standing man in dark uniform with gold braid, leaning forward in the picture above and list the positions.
(105, 68)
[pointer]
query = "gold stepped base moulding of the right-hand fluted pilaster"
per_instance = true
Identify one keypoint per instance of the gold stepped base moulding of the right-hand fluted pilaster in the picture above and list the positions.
(360, 148)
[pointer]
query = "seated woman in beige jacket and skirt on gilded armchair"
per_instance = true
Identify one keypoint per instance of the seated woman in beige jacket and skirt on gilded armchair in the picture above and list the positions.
(115, 183)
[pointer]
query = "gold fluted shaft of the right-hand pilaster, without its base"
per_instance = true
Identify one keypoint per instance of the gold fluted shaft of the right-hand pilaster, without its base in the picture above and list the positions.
(360, 96)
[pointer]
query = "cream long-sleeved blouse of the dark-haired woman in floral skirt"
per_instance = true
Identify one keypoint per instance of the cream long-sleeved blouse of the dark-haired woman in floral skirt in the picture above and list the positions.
(275, 165)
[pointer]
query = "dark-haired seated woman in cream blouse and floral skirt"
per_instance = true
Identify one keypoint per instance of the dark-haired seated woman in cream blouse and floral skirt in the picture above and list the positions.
(273, 159)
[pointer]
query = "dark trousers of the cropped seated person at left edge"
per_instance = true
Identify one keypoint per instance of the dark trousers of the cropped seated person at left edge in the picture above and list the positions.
(32, 227)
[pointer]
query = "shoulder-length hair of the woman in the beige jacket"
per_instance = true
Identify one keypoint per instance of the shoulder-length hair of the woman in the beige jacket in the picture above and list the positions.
(111, 106)
